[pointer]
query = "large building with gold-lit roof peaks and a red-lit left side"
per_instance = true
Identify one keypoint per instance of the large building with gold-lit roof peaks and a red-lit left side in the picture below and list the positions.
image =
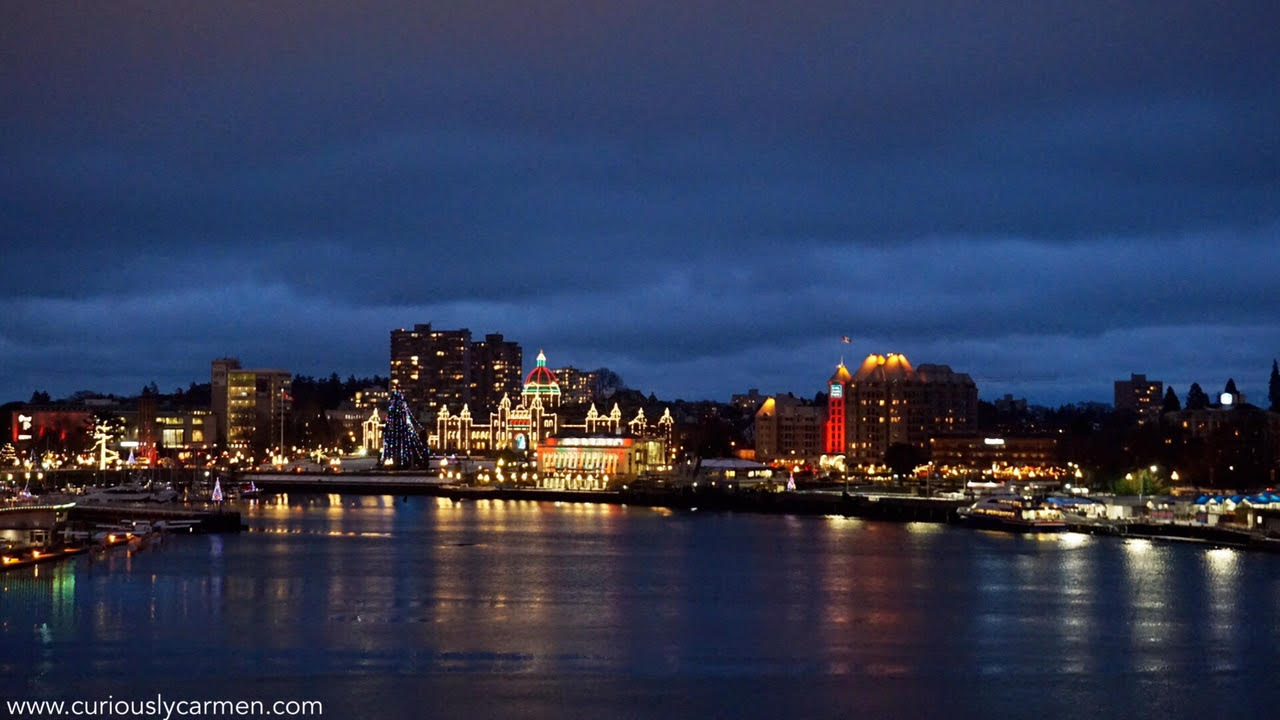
(889, 402)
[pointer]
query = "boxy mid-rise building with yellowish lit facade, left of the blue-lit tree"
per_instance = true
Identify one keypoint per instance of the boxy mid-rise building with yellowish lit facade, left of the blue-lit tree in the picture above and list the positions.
(250, 405)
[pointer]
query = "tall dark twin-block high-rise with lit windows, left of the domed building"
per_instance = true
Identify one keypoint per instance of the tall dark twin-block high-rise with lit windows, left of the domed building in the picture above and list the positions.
(445, 368)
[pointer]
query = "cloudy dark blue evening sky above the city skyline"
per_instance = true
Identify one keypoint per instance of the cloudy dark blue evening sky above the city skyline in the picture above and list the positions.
(703, 197)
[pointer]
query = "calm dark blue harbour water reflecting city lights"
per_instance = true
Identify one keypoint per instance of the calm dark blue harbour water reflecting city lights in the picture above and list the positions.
(385, 608)
